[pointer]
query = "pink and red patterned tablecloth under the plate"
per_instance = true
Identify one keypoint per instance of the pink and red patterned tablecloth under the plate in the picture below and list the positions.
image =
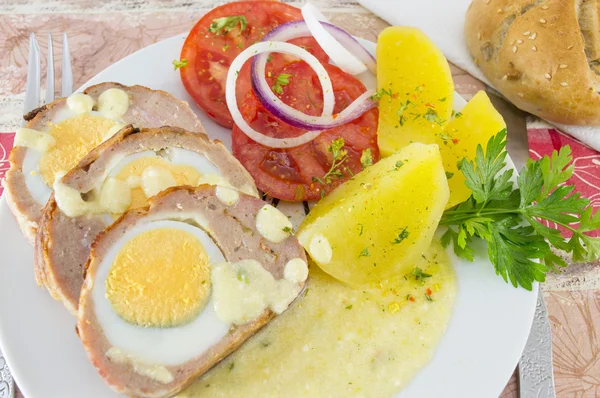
(102, 32)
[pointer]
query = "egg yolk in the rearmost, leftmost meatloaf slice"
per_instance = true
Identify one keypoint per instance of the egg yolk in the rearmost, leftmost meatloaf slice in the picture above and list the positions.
(75, 137)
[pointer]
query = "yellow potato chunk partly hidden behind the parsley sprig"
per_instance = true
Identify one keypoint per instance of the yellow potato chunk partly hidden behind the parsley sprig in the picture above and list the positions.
(474, 125)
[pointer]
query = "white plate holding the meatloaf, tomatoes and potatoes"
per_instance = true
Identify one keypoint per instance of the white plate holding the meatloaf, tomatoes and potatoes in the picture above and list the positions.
(475, 358)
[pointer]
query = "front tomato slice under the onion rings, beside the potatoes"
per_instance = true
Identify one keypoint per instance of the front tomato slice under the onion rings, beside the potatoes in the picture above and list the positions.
(298, 174)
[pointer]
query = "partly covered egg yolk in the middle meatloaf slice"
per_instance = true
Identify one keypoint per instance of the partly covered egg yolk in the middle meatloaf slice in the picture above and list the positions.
(183, 175)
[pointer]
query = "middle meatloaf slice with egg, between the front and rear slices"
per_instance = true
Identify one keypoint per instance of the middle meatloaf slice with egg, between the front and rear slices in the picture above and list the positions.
(120, 174)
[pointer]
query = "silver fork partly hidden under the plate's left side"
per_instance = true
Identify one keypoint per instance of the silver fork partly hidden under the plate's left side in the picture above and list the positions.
(32, 101)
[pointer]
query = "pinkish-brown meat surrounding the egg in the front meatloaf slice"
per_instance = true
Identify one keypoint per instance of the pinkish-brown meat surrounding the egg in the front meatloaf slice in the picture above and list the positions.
(234, 229)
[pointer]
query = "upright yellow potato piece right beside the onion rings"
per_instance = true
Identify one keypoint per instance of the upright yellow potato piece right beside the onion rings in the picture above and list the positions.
(415, 88)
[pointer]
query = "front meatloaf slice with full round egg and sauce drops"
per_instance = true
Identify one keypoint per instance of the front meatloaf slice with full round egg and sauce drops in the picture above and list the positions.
(172, 289)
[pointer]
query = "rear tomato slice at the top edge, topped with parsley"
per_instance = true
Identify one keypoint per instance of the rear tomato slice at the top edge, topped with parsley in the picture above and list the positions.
(209, 54)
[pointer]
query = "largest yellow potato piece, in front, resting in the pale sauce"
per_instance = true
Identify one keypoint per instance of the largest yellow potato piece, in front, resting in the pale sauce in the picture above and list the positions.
(377, 224)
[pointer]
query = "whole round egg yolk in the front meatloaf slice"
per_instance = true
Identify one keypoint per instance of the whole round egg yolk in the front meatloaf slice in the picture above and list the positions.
(160, 278)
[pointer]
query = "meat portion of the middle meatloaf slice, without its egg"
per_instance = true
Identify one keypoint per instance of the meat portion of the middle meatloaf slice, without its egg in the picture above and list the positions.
(63, 243)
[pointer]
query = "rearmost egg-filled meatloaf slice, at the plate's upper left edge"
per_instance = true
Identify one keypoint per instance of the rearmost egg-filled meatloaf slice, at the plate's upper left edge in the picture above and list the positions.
(60, 133)
